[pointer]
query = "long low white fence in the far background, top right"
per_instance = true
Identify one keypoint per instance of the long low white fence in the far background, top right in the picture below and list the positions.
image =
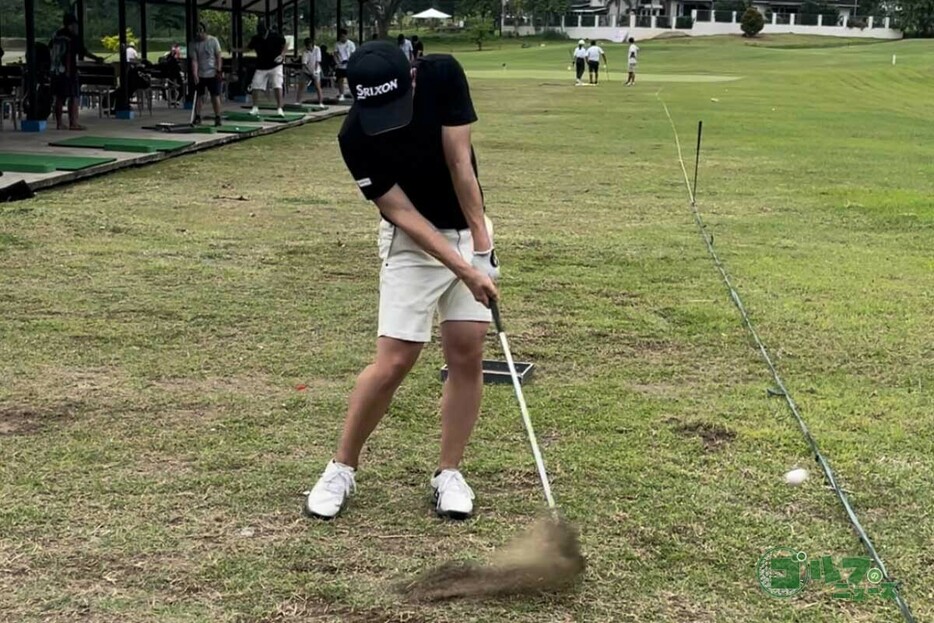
(657, 26)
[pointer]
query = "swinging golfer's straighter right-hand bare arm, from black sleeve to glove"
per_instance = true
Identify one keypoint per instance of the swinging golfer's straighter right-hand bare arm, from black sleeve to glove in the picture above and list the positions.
(456, 142)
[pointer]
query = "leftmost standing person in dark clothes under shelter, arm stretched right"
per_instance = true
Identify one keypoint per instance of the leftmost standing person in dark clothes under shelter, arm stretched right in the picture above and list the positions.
(65, 49)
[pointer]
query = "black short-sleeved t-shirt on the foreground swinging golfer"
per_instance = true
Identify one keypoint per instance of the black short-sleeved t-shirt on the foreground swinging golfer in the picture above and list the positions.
(413, 156)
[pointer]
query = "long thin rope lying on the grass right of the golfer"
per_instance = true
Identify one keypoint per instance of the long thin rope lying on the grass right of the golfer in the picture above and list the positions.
(782, 390)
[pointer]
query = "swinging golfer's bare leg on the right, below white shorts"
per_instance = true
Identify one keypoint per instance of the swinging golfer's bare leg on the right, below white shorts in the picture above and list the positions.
(462, 343)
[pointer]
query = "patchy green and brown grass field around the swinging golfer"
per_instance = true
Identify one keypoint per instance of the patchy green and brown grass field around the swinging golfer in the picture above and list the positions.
(154, 328)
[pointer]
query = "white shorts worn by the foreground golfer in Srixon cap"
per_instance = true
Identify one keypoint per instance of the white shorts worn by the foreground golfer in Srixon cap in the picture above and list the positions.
(413, 285)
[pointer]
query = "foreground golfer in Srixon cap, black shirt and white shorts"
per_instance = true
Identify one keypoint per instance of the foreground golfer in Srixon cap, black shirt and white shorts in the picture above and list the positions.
(406, 142)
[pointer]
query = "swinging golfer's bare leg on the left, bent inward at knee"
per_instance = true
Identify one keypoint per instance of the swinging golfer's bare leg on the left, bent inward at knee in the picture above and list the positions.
(373, 393)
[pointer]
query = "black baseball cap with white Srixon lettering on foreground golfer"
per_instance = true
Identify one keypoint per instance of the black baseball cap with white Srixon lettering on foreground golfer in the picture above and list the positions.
(381, 84)
